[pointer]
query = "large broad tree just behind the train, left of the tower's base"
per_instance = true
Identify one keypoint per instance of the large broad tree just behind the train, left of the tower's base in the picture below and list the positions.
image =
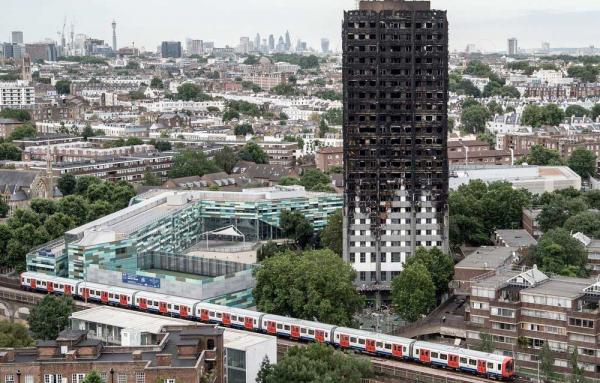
(312, 285)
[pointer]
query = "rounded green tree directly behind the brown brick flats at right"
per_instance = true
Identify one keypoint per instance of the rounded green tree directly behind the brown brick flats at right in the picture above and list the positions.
(558, 252)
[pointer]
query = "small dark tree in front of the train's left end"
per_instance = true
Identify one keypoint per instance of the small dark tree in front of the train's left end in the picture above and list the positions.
(50, 316)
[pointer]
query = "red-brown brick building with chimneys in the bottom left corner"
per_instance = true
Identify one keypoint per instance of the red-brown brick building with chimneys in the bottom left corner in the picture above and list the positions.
(183, 354)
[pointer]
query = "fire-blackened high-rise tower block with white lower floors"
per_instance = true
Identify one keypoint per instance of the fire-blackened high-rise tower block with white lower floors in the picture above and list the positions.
(395, 76)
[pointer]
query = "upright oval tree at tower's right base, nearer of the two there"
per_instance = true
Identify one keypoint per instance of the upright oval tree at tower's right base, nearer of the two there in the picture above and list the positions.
(413, 292)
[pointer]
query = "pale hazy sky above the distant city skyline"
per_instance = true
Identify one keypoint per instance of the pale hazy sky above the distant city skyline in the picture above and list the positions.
(485, 23)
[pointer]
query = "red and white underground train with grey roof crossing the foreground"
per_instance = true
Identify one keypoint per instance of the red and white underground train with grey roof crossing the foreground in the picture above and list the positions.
(455, 358)
